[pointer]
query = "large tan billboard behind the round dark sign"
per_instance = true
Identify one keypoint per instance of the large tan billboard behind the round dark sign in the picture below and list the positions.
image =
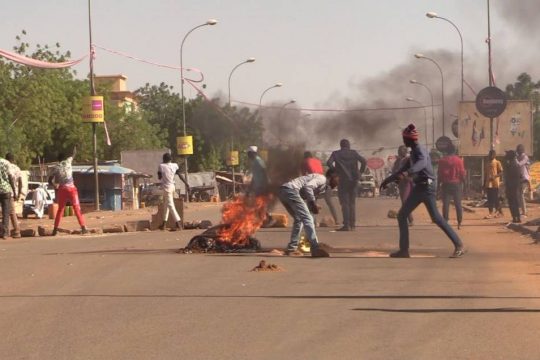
(512, 127)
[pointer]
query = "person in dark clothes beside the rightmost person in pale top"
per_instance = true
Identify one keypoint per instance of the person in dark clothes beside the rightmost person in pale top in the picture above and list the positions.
(512, 184)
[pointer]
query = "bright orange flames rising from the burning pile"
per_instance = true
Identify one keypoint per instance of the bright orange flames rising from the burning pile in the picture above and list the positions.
(243, 217)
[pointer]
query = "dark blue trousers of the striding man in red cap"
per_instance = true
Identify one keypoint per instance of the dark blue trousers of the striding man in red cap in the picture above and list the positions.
(423, 194)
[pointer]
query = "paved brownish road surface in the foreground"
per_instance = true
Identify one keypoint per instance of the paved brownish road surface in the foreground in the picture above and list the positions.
(131, 297)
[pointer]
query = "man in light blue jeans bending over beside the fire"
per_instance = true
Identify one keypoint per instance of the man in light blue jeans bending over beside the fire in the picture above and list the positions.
(298, 196)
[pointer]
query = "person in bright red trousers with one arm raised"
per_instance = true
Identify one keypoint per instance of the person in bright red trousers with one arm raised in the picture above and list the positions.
(62, 180)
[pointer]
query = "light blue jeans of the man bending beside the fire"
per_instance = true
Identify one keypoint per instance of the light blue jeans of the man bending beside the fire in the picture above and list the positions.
(297, 208)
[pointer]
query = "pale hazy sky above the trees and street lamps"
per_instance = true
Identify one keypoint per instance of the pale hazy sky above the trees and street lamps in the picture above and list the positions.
(318, 49)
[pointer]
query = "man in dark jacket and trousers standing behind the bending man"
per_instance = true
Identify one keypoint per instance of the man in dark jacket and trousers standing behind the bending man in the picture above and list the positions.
(345, 162)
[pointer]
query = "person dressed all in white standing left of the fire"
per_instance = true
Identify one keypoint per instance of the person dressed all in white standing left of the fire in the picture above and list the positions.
(166, 171)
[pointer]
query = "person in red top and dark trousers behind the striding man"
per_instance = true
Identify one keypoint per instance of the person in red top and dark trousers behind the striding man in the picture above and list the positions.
(451, 176)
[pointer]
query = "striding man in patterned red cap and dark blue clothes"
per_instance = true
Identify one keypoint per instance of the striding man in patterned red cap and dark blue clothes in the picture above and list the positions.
(421, 171)
